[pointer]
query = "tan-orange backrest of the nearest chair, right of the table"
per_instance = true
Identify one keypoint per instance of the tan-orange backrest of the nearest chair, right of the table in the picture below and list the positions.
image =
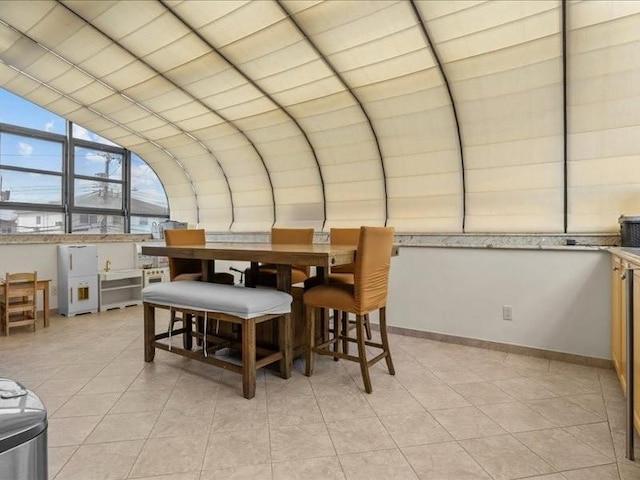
(373, 259)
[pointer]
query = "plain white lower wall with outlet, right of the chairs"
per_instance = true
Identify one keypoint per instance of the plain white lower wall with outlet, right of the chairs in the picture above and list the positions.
(560, 298)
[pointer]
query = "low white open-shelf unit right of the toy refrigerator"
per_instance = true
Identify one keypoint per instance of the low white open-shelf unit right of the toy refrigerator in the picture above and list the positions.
(120, 288)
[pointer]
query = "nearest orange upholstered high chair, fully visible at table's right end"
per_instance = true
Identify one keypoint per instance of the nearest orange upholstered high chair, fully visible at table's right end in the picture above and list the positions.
(367, 293)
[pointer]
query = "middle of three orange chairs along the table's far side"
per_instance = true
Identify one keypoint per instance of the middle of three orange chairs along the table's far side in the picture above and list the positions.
(266, 274)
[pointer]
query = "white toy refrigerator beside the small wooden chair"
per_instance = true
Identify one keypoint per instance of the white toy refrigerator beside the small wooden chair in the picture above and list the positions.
(77, 279)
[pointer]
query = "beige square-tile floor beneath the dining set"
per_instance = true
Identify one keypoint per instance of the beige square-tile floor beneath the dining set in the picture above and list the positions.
(451, 412)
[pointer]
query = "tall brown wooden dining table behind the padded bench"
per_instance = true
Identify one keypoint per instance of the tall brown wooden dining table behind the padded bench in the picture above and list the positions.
(320, 256)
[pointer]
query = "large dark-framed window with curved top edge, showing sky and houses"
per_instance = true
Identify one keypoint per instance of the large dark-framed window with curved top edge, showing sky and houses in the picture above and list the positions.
(41, 173)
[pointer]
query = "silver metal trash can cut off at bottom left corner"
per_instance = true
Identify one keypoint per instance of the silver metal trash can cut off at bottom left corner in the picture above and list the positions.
(23, 433)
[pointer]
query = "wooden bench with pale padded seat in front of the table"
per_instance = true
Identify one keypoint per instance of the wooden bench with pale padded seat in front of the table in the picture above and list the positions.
(242, 306)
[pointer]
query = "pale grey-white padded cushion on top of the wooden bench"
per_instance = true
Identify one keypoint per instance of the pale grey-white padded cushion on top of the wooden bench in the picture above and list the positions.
(213, 297)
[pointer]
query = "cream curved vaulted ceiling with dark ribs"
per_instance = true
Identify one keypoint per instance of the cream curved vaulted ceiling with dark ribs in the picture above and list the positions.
(430, 116)
